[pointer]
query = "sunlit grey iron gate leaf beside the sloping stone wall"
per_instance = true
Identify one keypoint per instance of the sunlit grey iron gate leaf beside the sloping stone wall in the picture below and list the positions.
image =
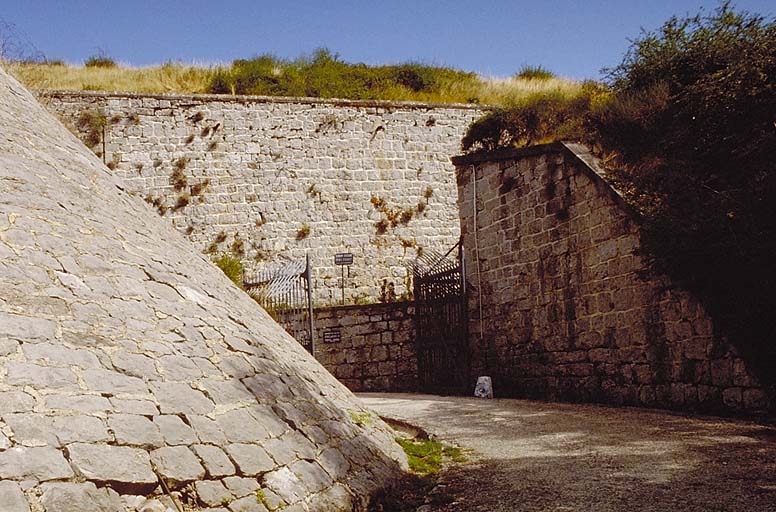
(286, 293)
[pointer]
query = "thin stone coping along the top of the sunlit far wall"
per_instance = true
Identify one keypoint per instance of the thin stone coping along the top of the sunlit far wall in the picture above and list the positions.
(228, 98)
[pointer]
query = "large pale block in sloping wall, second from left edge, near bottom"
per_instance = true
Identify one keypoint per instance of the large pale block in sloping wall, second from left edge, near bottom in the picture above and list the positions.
(130, 468)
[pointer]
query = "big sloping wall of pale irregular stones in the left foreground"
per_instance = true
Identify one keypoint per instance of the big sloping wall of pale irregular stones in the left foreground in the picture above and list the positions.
(115, 306)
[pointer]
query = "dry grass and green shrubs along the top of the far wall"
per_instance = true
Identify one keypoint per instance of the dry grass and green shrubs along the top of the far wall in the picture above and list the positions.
(322, 75)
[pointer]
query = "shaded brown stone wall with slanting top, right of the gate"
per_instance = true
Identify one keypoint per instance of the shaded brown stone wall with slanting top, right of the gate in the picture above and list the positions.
(568, 312)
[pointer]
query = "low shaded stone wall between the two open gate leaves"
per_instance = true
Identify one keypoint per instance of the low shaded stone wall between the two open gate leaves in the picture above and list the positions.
(368, 347)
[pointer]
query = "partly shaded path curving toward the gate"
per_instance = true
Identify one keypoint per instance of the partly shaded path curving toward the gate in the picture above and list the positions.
(536, 456)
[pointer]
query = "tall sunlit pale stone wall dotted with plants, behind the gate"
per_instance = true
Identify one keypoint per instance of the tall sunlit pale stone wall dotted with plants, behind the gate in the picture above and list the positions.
(279, 177)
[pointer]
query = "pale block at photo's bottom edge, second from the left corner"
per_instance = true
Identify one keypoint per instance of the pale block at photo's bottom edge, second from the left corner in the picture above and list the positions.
(79, 497)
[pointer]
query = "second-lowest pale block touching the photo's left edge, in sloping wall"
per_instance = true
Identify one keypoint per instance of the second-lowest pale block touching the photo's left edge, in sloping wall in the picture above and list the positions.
(38, 463)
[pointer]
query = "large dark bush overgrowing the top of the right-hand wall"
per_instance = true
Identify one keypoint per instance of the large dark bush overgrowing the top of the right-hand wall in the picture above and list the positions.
(688, 131)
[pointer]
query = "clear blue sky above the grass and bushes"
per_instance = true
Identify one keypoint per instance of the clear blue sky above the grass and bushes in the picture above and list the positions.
(571, 38)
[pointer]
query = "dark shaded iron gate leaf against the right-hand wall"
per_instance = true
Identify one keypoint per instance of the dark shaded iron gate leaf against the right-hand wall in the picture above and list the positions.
(441, 327)
